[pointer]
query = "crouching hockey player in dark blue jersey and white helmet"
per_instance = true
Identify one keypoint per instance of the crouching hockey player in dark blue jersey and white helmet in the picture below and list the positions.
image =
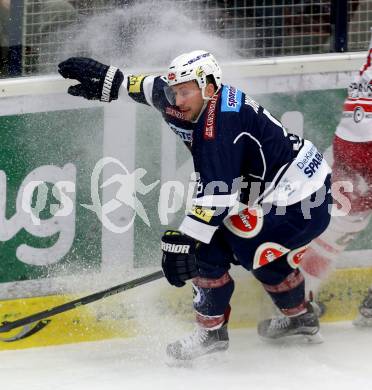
(263, 194)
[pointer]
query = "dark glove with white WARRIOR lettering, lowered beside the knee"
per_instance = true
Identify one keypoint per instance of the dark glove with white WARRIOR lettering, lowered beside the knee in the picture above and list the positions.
(179, 257)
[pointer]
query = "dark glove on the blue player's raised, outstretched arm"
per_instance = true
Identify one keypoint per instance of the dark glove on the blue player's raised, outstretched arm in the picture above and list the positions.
(97, 81)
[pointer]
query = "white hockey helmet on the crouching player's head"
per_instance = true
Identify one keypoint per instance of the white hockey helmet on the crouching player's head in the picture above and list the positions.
(196, 65)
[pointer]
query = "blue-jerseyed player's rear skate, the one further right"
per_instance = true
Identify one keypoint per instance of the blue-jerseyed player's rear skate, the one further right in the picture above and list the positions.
(304, 326)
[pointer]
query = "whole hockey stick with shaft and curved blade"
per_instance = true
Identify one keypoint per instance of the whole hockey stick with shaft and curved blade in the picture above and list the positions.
(30, 326)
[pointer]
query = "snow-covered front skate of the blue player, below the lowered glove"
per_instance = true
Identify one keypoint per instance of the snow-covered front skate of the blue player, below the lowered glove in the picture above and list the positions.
(201, 342)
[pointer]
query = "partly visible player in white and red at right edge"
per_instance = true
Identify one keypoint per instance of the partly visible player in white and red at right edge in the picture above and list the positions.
(352, 153)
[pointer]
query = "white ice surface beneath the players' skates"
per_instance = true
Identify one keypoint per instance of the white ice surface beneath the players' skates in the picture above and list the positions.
(343, 361)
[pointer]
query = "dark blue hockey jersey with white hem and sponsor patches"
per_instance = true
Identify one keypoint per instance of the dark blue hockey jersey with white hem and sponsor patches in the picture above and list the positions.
(241, 153)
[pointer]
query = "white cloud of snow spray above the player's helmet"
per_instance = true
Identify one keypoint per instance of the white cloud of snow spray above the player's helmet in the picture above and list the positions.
(147, 34)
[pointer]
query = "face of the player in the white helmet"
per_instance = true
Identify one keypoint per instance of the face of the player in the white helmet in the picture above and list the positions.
(189, 99)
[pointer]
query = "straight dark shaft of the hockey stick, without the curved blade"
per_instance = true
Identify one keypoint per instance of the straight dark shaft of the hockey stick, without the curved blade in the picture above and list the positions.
(9, 325)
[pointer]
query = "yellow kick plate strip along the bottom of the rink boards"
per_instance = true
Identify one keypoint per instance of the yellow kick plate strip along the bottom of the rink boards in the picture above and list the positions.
(134, 312)
